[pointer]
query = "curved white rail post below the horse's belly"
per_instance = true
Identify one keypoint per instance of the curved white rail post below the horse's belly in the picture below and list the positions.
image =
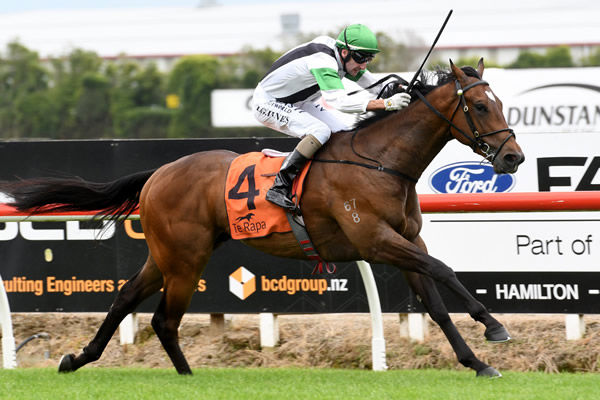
(378, 341)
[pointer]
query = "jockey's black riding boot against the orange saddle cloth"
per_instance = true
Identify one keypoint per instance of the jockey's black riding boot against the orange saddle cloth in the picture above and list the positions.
(280, 192)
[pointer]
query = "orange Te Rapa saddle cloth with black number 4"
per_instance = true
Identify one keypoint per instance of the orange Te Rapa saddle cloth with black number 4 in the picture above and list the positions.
(251, 216)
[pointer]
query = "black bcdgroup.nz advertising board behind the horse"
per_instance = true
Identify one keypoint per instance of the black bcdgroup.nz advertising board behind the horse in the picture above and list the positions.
(80, 266)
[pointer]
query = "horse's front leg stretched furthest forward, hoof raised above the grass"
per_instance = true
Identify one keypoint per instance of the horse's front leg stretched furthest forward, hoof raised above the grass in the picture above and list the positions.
(386, 246)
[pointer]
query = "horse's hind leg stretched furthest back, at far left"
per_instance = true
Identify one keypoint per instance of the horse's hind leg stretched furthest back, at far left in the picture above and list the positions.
(143, 284)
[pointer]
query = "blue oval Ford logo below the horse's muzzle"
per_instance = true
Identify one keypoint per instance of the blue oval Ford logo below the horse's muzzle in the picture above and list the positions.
(470, 177)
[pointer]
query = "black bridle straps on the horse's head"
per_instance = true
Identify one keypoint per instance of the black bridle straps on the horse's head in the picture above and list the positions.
(476, 140)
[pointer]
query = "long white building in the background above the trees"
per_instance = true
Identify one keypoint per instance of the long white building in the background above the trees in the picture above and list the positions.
(494, 30)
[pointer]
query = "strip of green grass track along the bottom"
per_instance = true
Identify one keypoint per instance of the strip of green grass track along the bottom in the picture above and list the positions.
(288, 384)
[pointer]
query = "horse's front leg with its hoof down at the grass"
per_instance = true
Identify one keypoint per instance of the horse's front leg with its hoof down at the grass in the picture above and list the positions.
(426, 289)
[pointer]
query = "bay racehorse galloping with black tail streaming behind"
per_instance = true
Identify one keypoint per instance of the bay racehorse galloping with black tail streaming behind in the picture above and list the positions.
(183, 213)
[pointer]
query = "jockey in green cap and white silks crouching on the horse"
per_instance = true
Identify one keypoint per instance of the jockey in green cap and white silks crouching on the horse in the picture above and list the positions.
(286, 99)
